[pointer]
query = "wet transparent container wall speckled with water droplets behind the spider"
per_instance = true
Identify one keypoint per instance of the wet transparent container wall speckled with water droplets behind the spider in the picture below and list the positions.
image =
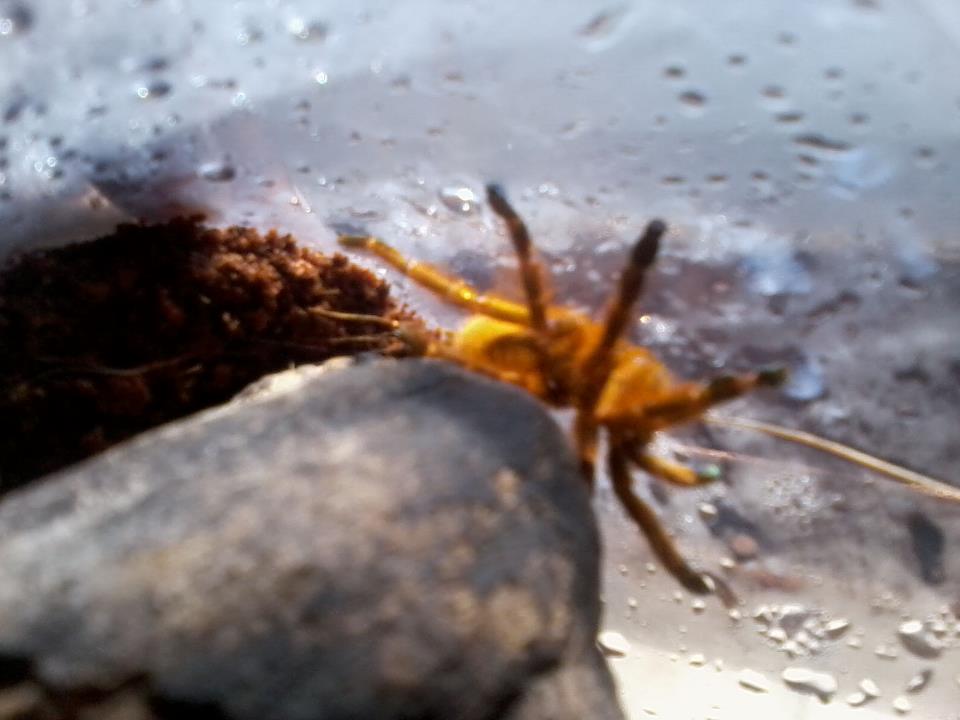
(805, 156)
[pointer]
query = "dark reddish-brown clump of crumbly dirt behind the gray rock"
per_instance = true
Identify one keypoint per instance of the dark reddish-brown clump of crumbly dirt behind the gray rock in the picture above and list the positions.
(104, 339)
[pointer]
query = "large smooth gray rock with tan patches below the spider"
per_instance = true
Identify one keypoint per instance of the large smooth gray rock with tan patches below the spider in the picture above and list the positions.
(391, 540)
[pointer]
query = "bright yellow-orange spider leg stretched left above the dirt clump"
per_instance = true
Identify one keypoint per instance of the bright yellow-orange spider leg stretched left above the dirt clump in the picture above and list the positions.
(448, 287)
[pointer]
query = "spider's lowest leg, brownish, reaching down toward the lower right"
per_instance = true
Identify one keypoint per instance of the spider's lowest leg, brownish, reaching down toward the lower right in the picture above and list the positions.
(693, 580)
